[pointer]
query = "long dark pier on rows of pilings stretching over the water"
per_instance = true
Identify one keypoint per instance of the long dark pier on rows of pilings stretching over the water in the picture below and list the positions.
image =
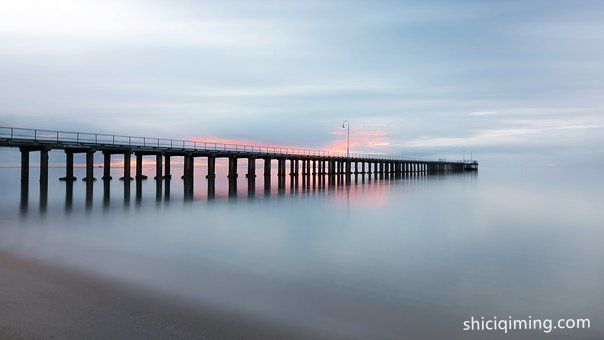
(301, 162)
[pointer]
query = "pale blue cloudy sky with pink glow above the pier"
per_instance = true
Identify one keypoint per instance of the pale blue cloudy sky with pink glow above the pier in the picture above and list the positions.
(516, 83)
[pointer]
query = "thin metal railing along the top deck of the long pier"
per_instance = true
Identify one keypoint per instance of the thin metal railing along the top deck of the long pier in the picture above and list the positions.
(101, 139)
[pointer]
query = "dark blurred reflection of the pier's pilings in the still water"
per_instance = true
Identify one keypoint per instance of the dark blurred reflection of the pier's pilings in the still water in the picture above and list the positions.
(205, 189)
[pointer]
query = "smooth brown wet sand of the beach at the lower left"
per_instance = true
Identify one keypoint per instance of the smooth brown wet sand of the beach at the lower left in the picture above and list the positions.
(41, 301)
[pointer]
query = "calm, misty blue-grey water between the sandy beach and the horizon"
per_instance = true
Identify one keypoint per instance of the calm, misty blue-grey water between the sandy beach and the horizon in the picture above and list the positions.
(405, 258)
